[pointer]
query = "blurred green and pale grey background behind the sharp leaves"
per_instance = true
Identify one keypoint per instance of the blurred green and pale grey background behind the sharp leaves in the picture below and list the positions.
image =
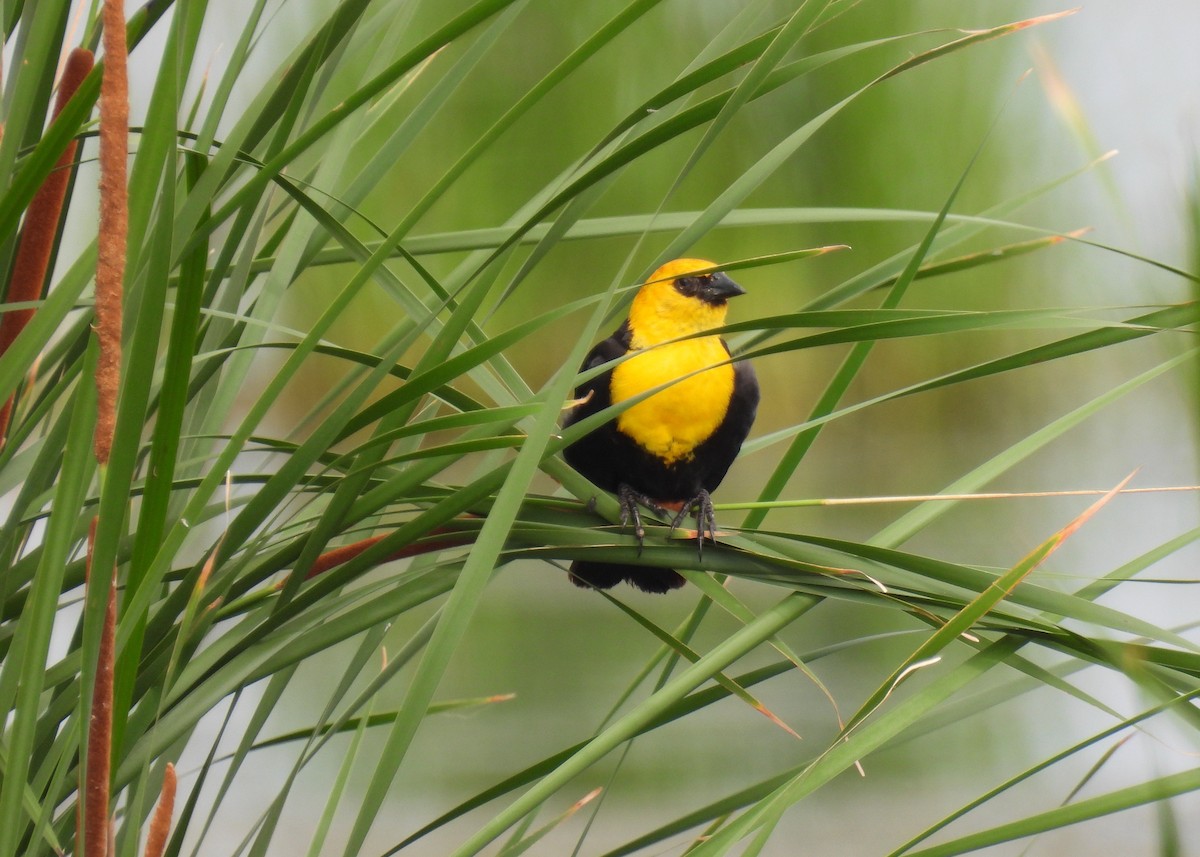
(1133, 74)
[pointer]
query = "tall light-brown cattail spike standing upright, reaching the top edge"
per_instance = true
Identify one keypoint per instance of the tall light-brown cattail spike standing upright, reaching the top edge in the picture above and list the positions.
(115, 224)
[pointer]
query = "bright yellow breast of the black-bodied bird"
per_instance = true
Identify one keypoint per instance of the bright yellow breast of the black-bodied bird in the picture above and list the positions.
(674, 422)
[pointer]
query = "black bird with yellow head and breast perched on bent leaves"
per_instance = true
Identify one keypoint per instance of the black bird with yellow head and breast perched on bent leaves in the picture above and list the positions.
(671, 450)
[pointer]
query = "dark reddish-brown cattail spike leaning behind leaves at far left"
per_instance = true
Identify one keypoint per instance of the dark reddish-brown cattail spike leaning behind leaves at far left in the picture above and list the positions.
(41, 226)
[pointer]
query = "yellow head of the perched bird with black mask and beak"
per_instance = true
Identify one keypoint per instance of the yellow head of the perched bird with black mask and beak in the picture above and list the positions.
(677, 302)
